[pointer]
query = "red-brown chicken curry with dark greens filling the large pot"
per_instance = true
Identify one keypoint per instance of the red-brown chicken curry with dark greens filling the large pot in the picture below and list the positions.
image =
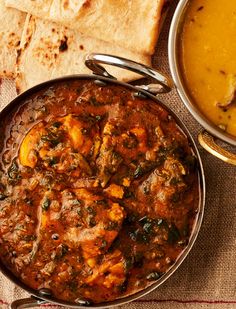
(99, 191)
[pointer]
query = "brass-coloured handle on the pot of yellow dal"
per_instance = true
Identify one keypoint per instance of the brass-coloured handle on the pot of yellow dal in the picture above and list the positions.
(210, 145)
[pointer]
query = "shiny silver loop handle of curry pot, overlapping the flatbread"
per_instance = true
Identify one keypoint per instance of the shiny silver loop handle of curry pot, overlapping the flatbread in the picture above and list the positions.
(164, 83)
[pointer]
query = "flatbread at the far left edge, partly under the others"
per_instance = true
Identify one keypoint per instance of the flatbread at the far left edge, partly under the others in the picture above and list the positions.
(11, 25)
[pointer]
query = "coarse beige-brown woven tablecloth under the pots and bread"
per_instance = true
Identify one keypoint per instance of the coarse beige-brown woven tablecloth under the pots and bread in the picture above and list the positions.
(207, 278)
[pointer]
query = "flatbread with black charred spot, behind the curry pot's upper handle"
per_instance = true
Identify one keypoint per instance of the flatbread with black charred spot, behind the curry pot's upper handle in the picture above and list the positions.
(49, 50)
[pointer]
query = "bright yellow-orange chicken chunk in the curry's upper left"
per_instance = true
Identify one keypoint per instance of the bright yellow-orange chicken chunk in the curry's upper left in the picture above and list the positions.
(62, 145)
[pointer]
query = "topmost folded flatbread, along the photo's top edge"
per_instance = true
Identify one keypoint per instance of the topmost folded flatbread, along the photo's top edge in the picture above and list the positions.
(132, 24)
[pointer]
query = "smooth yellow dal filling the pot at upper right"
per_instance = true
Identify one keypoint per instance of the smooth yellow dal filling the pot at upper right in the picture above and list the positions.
(208, 55)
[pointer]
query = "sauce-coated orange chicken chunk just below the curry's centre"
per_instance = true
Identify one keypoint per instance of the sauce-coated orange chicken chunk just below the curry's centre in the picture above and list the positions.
(107, 221)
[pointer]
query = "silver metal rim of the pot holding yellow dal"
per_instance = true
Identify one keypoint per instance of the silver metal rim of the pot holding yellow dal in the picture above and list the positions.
(175, 30)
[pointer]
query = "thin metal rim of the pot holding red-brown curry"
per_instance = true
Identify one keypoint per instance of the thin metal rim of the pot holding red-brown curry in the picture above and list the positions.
(201, 202)
